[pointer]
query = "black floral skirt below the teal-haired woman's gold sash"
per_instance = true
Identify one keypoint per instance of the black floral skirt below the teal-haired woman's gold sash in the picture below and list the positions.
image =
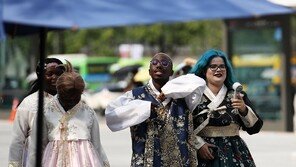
(231, 152)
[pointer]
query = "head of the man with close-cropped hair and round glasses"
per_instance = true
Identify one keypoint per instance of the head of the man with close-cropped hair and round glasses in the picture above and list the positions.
(160, 68)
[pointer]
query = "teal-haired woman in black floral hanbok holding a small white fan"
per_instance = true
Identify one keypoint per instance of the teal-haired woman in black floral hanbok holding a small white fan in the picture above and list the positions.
(221, 114)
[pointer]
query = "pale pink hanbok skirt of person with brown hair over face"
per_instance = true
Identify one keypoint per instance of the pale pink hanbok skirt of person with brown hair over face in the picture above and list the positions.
(71, 154)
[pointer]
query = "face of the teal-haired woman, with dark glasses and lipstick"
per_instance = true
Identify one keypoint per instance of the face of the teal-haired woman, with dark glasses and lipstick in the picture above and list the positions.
(216, 72)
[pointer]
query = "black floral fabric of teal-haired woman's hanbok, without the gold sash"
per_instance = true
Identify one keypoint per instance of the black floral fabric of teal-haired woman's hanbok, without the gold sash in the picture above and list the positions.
(232, 150)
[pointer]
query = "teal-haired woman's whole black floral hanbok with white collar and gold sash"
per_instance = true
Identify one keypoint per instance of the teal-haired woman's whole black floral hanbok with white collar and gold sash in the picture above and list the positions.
(232, 150)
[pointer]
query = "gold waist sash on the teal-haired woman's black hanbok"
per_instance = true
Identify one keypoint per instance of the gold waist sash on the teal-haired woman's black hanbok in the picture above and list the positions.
(220, 131)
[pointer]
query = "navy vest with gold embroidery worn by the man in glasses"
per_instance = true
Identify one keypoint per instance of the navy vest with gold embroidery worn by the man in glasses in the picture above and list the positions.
(167, 141)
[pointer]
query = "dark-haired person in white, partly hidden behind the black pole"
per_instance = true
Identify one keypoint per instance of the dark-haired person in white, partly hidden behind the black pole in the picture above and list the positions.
(22, 125)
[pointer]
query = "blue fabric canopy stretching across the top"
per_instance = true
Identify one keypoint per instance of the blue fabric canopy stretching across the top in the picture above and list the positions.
(60, 14)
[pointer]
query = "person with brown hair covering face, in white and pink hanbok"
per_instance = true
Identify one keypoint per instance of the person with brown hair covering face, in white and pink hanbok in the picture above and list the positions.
(71, 135)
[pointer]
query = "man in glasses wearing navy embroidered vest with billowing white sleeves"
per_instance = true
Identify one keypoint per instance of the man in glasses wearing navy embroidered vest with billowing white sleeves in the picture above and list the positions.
(158, 115)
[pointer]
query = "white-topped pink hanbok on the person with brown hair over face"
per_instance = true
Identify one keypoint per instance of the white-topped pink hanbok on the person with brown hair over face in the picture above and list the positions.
(71, 139)
